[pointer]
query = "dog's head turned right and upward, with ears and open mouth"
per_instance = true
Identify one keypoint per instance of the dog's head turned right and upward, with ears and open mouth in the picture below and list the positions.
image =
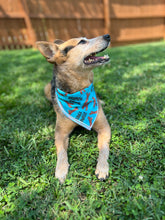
(76, 53)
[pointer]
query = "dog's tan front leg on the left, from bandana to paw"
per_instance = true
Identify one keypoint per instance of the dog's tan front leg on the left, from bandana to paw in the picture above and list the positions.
(63, 128)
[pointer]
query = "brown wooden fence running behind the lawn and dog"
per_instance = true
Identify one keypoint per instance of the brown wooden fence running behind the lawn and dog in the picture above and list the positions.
(22, 22)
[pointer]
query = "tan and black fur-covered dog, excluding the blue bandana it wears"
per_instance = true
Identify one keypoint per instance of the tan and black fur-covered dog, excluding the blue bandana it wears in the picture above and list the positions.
(73, 63)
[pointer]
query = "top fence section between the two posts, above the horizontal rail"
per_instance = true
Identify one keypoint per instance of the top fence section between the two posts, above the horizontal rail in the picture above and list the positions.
(66, 9)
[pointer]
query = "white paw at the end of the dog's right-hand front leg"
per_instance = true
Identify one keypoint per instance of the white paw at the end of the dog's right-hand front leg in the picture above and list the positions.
(102, 170)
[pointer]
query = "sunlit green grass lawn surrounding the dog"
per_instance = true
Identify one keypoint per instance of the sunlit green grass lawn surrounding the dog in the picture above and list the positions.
(133, 89)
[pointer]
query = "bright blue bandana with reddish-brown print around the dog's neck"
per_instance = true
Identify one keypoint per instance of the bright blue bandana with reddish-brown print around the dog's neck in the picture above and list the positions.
(81, 107)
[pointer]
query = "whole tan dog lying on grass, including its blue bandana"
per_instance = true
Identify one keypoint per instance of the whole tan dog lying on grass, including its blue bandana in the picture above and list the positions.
(72, 87)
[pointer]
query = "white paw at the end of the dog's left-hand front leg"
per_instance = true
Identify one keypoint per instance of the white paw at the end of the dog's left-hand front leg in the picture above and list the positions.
(61, 172)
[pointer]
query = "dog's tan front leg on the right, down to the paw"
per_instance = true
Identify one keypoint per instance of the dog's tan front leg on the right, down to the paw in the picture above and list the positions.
(104, 134)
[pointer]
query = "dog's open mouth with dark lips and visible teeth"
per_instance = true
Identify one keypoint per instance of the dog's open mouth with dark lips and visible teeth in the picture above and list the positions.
(93, 59)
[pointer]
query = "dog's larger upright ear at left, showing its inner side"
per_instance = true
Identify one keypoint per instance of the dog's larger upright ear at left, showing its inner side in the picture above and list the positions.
(48, 50)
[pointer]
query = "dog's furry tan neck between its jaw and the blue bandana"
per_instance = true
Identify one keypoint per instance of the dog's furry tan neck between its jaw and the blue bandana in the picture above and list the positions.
(70, 81)
